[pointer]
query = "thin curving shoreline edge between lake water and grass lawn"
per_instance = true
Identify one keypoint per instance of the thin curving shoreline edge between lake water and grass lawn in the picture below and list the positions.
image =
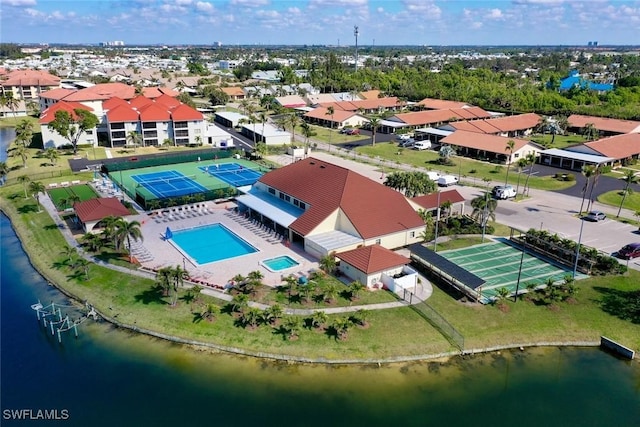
(211, 346)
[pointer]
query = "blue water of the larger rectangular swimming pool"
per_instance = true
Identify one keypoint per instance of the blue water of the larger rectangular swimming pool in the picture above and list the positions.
(211, 243)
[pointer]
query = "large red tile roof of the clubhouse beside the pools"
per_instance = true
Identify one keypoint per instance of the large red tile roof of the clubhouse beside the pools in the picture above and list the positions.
(373, 209)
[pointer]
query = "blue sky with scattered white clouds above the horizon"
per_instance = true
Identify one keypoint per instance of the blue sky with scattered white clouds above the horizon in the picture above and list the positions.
(322, 22)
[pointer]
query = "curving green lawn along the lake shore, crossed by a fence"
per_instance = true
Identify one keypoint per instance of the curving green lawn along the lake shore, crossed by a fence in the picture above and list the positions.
(139, 301)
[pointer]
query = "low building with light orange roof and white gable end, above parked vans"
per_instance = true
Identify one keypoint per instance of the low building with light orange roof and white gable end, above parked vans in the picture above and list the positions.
(490, 147)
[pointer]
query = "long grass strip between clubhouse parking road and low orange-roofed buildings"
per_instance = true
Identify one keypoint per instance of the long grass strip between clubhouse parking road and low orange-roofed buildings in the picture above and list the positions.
(471, 171)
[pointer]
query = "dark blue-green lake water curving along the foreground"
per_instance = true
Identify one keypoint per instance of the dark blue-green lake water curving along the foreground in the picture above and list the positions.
(108, 377)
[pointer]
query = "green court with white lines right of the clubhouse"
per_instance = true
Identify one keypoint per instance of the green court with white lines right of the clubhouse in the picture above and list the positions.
(498, 263)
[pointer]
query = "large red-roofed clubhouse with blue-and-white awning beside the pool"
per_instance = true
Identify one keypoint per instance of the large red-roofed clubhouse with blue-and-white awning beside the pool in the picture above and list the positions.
(327, 208)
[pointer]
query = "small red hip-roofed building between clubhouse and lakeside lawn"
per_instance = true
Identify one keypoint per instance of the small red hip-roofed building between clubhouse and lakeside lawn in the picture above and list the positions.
(375, 266)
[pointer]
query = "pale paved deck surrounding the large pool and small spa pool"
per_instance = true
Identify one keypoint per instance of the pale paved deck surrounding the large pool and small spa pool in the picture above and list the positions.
(161, 253)
